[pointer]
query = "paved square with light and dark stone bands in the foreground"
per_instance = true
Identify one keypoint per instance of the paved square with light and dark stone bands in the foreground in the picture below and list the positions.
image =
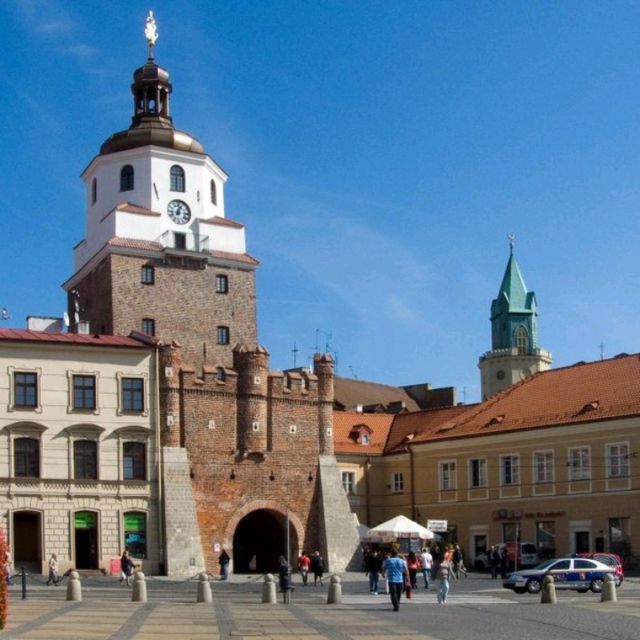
(477, 608)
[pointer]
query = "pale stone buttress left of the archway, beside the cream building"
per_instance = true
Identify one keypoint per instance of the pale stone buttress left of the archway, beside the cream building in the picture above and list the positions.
(183, 553)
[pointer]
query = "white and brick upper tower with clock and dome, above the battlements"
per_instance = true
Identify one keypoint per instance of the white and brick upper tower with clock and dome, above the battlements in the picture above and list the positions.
(159, 255)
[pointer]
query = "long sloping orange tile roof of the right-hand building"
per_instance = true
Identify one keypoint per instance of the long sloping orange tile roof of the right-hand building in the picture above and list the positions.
(584, 392)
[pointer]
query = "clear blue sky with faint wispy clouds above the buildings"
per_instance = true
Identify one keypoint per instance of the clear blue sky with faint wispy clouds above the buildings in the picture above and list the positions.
(378, 152)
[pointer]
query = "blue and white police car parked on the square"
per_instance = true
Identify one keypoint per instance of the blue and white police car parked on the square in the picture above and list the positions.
(580, 574)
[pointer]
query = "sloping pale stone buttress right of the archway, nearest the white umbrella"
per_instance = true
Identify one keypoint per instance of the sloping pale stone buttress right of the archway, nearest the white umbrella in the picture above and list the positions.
(338, 533)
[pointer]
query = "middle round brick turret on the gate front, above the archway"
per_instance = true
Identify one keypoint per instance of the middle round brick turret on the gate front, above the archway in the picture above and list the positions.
(252, 367)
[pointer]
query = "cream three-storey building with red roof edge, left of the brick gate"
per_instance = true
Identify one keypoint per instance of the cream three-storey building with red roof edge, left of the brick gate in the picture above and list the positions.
(79, 459)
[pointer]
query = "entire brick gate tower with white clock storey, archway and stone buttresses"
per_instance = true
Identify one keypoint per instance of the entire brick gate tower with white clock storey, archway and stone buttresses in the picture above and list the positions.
(247, 453)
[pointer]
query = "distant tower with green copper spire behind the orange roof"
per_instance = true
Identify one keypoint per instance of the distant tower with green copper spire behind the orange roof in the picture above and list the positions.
(515, 353)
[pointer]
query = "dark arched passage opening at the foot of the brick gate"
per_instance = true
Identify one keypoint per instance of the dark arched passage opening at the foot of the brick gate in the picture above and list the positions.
(259, 539)
